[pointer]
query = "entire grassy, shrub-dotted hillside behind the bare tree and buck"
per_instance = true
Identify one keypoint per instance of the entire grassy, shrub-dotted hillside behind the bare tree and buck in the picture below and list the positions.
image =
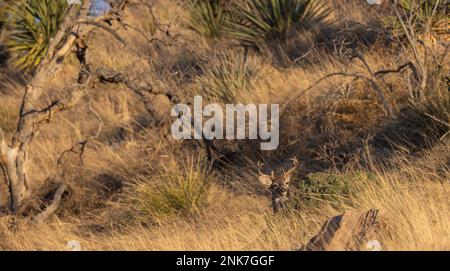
(369, 130)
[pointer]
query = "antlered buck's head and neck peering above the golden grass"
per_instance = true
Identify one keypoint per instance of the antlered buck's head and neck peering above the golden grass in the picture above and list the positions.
(278, 184)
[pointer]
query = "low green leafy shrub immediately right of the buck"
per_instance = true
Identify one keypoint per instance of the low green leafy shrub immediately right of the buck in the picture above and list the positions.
(323, 188)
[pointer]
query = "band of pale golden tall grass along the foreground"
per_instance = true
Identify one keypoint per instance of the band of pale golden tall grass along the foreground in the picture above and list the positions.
(416, 204)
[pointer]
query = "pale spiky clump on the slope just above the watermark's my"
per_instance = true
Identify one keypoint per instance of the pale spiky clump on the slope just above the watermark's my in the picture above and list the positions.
(228, 76)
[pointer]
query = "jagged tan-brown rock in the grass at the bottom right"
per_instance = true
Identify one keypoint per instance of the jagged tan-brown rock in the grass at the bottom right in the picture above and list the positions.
(351, 231)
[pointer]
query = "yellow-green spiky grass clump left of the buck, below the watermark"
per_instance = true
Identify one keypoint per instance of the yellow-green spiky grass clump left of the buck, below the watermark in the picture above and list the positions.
(179, 190)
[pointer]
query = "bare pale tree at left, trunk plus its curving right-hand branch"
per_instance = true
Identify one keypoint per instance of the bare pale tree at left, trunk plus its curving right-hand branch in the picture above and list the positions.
(14, 156)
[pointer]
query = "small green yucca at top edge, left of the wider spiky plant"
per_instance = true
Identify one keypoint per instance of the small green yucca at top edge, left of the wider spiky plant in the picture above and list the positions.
(208, 17)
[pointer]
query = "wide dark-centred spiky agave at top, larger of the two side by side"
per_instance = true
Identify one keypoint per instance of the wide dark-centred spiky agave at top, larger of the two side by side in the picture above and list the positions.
(260, 21)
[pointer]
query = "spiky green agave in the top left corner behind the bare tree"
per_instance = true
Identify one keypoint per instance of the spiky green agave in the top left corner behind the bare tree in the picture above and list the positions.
(31, 25)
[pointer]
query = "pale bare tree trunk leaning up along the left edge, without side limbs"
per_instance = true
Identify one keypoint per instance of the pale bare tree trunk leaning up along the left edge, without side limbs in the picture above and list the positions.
(13, 157)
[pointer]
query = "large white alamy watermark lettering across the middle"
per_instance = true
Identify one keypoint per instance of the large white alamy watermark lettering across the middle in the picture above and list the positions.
(236, 121)
